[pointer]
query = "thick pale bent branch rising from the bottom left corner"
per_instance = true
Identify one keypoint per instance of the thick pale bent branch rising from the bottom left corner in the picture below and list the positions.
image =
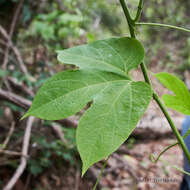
(23, 162)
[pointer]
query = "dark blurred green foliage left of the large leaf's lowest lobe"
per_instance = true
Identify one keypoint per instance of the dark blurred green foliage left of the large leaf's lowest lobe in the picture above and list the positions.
(57, 149)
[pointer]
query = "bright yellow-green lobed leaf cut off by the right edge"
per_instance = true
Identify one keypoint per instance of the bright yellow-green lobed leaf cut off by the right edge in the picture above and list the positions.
(180, 101)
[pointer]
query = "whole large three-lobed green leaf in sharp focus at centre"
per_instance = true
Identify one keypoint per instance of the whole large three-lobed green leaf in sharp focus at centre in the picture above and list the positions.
(118, 102)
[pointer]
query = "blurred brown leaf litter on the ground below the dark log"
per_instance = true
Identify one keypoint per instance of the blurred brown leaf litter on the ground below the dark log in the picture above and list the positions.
(123, 172)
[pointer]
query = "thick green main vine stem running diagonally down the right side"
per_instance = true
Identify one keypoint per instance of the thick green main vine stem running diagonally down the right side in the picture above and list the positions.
(147, 79)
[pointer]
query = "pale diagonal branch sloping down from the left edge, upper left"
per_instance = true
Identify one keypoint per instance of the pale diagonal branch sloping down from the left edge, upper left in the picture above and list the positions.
(15, 50)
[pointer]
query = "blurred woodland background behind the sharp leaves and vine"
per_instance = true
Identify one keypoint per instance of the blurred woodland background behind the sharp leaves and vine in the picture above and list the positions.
(30, 33)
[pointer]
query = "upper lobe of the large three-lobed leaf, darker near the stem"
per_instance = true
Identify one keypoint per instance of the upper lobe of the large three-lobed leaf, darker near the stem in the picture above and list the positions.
(118, 55)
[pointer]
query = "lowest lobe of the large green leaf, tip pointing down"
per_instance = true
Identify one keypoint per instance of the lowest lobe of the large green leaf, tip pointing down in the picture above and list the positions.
(111, 119)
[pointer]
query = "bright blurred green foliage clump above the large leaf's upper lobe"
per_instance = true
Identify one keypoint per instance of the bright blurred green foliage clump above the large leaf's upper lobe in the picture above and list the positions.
(56, 26)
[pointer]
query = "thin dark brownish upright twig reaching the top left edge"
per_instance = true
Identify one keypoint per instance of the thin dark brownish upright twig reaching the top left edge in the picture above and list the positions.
(12, 28)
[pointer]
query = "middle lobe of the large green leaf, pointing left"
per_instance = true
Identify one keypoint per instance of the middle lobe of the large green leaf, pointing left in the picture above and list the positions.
(68, 92)
